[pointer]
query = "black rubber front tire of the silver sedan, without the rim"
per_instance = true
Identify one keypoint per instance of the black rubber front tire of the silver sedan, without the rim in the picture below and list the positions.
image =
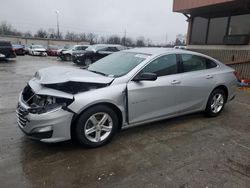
(82, 123)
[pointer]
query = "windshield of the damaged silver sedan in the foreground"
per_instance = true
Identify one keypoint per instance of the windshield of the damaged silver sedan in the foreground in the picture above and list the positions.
(117, 64)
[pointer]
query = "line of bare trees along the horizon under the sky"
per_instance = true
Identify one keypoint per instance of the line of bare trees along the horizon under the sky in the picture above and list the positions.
(92, 38)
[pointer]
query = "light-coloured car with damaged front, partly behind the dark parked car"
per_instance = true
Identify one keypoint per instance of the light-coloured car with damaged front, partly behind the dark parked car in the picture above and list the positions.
(66, 55)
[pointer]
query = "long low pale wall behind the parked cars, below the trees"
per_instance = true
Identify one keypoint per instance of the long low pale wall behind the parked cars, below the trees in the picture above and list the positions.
(40, 41)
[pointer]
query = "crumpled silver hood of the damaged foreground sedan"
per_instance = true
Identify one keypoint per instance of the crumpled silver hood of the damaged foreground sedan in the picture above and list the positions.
(53, 75)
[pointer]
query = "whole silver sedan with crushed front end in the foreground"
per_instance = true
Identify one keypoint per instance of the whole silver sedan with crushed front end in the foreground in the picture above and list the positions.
(127, 88)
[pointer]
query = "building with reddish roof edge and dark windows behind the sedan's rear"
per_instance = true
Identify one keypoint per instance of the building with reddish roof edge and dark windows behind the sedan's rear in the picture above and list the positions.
(219, 28)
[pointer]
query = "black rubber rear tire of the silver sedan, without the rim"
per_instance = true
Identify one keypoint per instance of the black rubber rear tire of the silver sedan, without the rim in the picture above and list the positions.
(210, 111)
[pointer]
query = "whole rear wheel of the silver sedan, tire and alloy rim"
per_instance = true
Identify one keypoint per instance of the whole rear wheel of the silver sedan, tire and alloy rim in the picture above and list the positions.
(216, 103)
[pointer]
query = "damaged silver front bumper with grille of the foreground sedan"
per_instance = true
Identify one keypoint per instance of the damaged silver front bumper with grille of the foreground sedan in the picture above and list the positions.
(50, 127)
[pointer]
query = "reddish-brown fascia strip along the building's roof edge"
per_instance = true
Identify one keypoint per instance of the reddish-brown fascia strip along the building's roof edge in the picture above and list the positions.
(180, 5)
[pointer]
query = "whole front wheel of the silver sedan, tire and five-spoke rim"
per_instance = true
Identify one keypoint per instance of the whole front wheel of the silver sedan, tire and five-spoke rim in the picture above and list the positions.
(96, 126)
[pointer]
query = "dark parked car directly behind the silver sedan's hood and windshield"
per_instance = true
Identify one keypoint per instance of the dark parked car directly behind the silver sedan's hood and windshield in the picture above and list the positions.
(94, 53)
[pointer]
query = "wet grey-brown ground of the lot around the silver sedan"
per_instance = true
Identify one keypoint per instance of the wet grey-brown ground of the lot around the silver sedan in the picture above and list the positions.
(190, 151)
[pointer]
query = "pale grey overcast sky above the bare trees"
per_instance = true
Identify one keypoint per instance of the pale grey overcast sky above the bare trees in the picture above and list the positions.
(152, 19)
